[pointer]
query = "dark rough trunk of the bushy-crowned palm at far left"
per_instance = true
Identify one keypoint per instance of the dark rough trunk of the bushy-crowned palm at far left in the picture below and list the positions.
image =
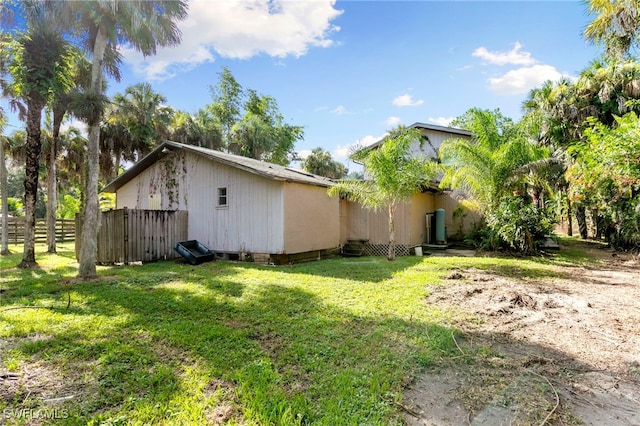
(34, 147)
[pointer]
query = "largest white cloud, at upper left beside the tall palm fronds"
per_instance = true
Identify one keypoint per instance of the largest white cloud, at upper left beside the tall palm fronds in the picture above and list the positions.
(241, 29)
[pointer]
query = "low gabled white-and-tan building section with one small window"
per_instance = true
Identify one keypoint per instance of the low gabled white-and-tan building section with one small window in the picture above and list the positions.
(236, 205)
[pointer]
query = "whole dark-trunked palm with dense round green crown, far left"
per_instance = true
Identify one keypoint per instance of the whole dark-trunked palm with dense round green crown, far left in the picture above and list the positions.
(39, 64)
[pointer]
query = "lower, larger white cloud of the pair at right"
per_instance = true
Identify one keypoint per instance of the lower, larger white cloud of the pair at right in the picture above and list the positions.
(522, 80)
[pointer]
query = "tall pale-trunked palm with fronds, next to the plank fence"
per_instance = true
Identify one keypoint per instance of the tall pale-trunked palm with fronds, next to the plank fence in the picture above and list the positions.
(105, 23)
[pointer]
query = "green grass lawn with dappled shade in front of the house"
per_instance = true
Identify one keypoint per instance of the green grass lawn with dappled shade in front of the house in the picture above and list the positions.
(327, 342)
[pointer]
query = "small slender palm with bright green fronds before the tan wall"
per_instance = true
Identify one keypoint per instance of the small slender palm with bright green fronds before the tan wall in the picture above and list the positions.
(393, 177)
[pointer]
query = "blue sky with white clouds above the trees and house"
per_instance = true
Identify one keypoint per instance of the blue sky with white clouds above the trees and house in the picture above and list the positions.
(350, 70)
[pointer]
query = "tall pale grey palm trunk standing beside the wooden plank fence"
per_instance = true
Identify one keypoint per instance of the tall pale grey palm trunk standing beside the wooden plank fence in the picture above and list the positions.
(90, 227)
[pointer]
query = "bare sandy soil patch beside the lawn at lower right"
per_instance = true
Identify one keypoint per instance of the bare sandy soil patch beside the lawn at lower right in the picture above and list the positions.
(534, 351)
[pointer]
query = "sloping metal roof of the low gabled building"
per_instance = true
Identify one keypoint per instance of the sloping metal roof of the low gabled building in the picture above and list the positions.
(261, 168)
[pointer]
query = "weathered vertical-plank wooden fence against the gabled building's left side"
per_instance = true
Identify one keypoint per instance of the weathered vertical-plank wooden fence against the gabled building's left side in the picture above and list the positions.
(138, 235)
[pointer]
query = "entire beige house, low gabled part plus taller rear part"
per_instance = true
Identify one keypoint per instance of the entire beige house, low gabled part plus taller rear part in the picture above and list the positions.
(245, 207)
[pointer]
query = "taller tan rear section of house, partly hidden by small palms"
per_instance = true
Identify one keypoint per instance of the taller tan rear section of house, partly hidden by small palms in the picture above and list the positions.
(413, 219)
